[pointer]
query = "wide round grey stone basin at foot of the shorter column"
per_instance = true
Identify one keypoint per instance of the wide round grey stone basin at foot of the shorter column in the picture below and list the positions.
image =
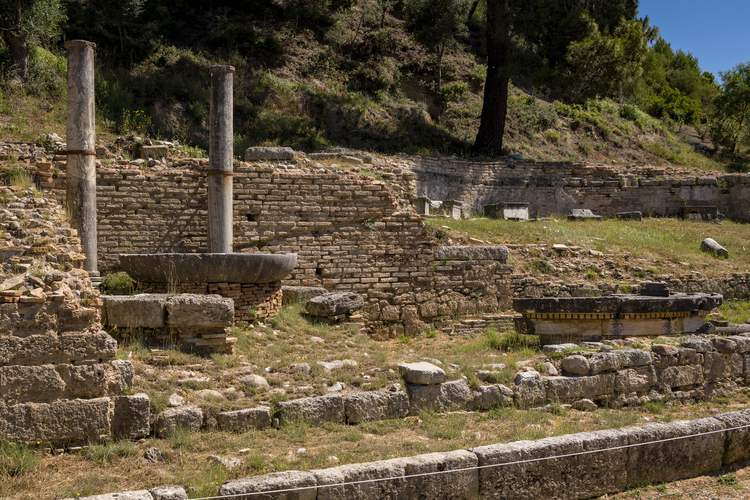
(208, 267)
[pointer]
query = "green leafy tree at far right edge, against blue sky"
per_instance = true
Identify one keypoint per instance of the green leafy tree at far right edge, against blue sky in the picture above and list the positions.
(730, 126)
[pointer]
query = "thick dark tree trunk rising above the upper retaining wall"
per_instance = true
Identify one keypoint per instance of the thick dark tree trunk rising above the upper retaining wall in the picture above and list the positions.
(492, 125)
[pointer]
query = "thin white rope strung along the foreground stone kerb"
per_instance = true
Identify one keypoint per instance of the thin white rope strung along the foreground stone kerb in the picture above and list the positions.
(479, 467)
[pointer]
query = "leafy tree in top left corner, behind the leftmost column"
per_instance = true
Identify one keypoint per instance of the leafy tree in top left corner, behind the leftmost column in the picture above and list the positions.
(28, 22)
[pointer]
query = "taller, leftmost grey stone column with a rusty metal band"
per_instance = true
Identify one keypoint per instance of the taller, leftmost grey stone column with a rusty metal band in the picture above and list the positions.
(81, 169)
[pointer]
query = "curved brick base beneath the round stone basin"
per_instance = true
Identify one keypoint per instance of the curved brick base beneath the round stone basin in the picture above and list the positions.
(251, 301)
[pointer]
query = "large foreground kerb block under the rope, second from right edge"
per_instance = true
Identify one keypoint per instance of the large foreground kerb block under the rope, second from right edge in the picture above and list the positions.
(677, 459)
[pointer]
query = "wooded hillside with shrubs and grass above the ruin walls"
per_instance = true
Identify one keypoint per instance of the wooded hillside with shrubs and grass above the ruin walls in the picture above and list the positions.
(352, 73)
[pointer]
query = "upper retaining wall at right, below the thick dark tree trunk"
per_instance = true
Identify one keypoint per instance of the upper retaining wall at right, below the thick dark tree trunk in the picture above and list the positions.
(556, 188)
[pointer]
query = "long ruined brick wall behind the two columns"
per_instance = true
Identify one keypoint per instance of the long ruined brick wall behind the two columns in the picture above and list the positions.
(345, 227)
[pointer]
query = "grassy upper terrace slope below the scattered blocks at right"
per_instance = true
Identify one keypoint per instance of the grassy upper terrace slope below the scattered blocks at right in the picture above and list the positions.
(632, 250)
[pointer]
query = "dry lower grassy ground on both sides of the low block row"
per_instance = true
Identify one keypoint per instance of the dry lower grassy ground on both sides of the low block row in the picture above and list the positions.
(30, 472)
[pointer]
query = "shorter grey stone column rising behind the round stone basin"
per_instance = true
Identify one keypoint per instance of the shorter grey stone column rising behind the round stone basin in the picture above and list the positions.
(220, 157)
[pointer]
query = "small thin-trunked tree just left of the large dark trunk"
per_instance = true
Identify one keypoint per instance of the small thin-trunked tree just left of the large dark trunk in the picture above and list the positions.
(436, 24)
